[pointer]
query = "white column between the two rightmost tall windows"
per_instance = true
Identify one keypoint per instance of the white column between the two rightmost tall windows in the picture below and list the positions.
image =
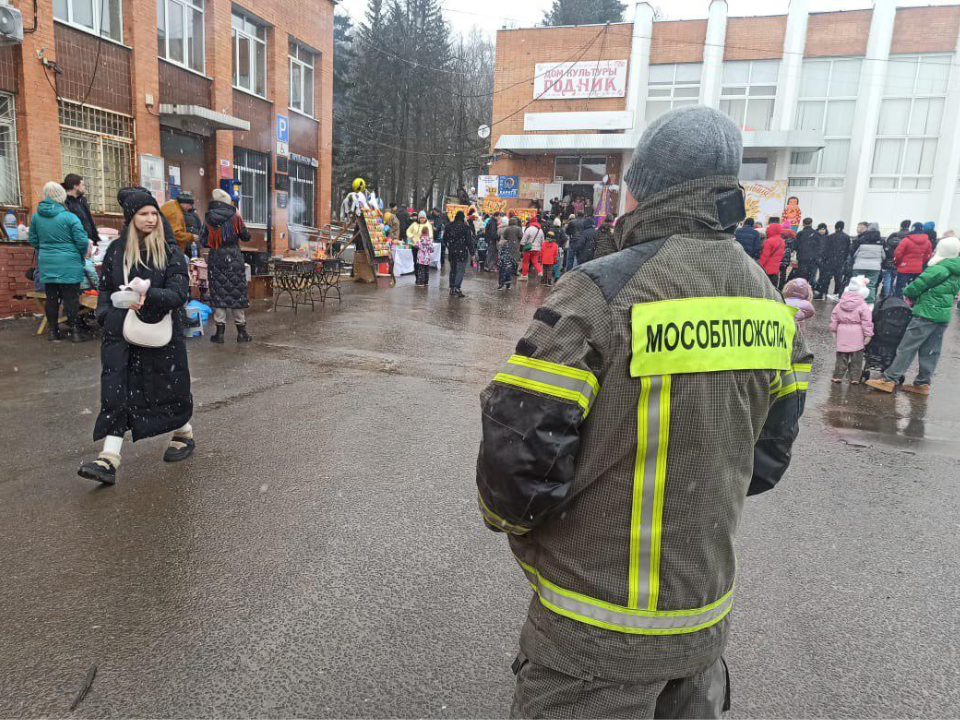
(872, 78)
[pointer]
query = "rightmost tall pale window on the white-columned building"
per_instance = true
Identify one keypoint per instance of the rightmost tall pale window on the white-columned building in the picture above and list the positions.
(908, 129)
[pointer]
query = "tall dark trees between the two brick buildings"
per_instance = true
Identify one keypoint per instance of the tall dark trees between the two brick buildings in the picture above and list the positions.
(408, 99)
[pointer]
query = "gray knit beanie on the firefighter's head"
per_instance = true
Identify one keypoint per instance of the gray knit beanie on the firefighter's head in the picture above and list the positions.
(684, 144)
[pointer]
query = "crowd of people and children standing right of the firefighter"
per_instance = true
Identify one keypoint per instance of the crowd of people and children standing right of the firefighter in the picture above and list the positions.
(894, 295)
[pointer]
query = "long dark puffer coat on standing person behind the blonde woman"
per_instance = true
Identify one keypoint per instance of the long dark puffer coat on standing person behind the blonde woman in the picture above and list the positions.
(223, 232)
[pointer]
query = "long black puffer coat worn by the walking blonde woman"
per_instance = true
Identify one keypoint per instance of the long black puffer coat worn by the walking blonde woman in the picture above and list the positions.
(143, 390)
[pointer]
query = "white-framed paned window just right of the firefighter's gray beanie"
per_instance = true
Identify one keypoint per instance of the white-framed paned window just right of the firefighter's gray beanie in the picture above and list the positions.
(749, 92)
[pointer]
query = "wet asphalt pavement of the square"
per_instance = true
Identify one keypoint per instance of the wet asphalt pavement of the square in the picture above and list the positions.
(321, 555)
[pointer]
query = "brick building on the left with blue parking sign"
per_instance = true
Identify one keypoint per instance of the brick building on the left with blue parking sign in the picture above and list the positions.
(175, 95)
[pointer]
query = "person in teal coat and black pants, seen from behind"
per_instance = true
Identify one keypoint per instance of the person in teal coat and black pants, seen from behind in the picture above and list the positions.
(61, 244)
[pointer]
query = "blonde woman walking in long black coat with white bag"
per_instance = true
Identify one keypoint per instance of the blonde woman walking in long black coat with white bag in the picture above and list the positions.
(143, 390)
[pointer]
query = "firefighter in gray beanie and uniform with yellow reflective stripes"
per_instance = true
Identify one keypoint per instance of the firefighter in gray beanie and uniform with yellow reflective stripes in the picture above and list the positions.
(655, 390)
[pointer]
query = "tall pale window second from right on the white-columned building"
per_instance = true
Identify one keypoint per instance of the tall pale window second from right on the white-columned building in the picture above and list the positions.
(828, 100)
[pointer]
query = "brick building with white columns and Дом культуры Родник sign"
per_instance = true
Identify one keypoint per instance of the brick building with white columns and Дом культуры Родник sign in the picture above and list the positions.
(858, 111)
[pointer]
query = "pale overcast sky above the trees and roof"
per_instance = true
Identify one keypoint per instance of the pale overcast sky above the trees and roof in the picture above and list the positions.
(494, 14)
